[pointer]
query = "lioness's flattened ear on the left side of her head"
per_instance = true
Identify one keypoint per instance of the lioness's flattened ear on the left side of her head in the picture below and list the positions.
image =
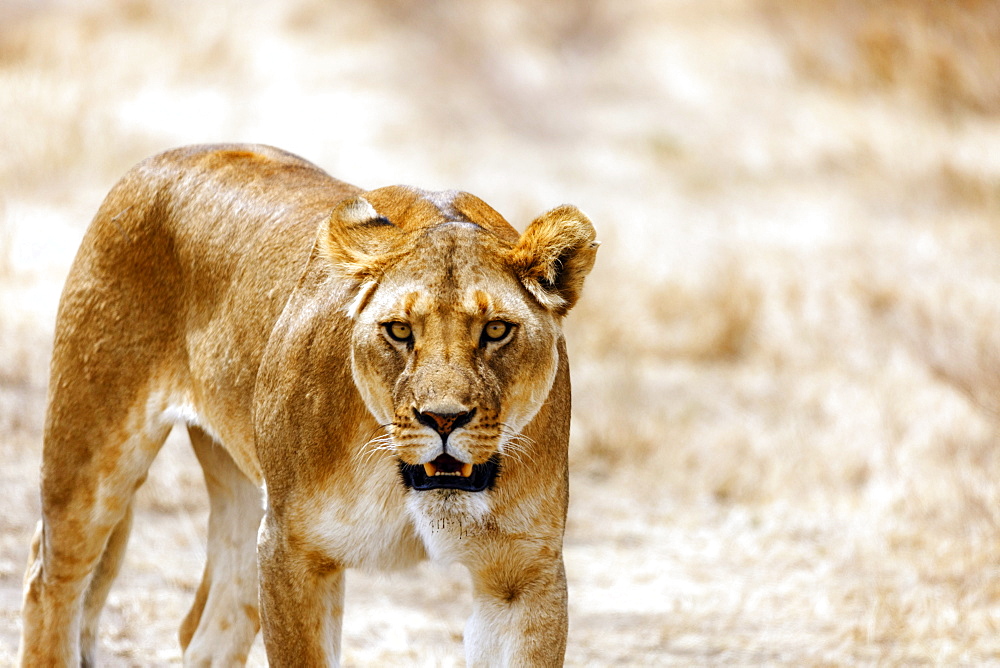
(354, 238)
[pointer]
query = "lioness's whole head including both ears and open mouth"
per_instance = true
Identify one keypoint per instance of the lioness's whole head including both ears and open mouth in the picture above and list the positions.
(456, 323)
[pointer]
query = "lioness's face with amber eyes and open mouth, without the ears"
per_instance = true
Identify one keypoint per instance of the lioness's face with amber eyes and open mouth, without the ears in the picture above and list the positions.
(454, 358)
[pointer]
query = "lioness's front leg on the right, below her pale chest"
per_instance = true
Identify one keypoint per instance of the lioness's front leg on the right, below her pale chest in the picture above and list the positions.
(519, 613)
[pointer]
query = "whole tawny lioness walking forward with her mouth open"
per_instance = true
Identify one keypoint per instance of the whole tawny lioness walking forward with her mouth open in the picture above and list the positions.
(367, 378)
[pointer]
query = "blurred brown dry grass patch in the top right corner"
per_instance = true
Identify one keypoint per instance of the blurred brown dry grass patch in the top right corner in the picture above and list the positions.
(942, 53)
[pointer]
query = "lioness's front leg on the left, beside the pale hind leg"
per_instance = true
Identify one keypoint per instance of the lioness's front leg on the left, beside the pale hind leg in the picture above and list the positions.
(301, 602)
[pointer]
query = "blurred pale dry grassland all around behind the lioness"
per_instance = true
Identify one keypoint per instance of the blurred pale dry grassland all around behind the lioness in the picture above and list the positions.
(786, 367)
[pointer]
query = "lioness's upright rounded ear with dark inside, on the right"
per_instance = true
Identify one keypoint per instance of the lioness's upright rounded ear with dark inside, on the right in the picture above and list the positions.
(554, 256)
